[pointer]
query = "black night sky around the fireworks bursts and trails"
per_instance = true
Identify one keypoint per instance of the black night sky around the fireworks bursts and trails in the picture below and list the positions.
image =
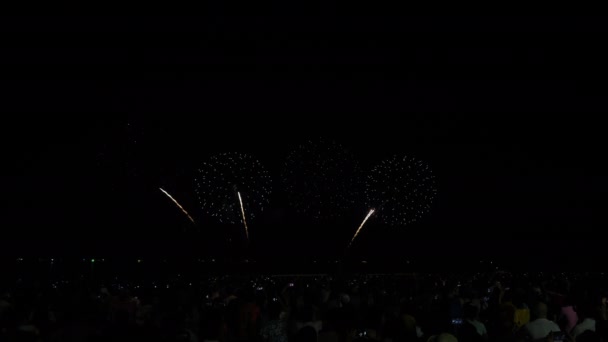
(101, 111)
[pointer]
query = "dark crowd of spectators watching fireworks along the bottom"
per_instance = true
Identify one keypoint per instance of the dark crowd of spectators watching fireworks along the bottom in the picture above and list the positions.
(476, 307)
